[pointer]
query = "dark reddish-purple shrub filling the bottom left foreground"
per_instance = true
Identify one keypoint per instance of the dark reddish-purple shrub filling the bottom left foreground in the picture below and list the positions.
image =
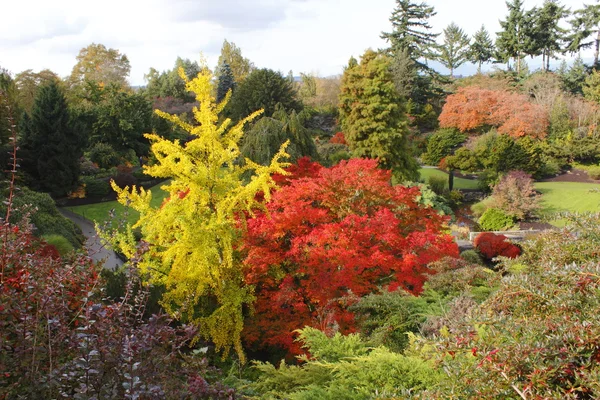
(60, 340)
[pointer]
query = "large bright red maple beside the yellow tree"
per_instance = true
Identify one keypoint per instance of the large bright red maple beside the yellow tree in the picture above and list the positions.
(339, 233)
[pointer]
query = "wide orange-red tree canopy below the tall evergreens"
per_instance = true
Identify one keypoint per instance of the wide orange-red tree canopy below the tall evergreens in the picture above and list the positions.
(472, 108)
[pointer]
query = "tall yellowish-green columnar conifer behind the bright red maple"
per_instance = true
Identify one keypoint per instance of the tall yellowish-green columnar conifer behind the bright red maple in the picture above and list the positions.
(373, 115)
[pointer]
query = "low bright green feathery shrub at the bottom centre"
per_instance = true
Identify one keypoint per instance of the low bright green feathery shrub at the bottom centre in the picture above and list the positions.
(344, 367)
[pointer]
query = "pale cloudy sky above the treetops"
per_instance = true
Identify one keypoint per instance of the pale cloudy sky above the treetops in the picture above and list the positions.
(310, 36)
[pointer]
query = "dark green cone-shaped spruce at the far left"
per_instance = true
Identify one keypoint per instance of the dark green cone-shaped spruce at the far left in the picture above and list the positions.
(51, 147)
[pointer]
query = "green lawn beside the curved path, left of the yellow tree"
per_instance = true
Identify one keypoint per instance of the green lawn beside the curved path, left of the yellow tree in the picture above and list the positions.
(99, 212)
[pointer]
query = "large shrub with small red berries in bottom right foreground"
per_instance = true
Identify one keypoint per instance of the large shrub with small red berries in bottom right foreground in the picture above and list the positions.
(538, 334)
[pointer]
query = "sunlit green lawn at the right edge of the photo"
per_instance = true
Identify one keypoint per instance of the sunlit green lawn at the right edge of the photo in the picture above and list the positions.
(568, 196)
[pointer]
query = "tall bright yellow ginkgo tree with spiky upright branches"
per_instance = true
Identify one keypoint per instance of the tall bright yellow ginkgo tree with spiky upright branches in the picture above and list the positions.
(190, 239)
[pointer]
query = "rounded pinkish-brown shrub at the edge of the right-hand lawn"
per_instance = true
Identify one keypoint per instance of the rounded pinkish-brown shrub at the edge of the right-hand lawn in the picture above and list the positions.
(515, 195)
